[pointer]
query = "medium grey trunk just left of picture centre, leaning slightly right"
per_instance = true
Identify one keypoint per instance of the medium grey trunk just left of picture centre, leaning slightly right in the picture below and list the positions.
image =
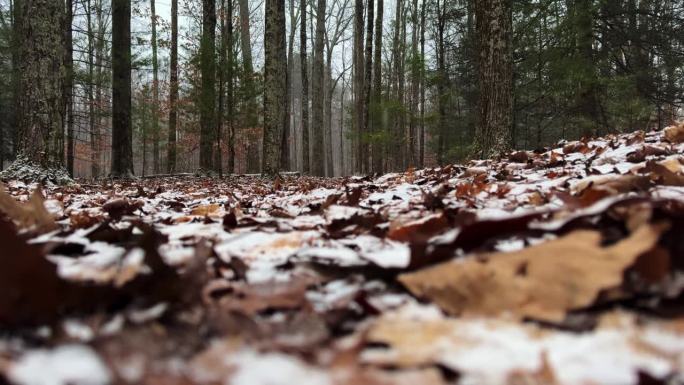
(317, 167)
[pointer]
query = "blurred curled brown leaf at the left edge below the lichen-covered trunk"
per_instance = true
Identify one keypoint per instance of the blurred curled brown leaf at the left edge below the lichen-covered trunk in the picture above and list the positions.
(31, 214)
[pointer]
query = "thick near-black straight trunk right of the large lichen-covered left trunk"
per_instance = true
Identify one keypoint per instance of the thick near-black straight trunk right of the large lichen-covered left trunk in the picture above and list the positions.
(122, 135)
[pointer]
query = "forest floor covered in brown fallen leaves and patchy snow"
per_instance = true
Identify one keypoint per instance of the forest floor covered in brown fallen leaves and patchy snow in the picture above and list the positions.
(561, 266)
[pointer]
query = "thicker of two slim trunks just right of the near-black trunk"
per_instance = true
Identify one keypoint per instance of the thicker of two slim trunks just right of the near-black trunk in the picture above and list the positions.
(173, 90)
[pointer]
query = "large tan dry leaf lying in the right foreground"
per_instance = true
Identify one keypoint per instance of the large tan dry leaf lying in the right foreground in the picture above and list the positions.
(541, 282)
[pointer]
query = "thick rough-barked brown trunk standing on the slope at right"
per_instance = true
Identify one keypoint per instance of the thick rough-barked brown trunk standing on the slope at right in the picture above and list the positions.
(495, 102)
